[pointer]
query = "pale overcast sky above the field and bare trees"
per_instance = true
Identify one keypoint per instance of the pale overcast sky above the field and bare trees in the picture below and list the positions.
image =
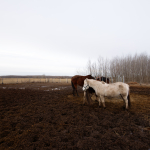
(58, 37)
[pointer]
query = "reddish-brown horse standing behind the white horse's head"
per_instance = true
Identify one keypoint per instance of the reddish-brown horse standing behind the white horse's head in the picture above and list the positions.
(78, 80)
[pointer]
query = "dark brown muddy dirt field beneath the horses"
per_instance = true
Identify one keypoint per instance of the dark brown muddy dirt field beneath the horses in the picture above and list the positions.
(46, 116)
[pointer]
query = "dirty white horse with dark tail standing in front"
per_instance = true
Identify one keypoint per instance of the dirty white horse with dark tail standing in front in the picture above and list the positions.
(111, 90)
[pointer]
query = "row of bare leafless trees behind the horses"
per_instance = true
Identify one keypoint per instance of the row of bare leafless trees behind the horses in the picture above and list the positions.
(134, 68)
